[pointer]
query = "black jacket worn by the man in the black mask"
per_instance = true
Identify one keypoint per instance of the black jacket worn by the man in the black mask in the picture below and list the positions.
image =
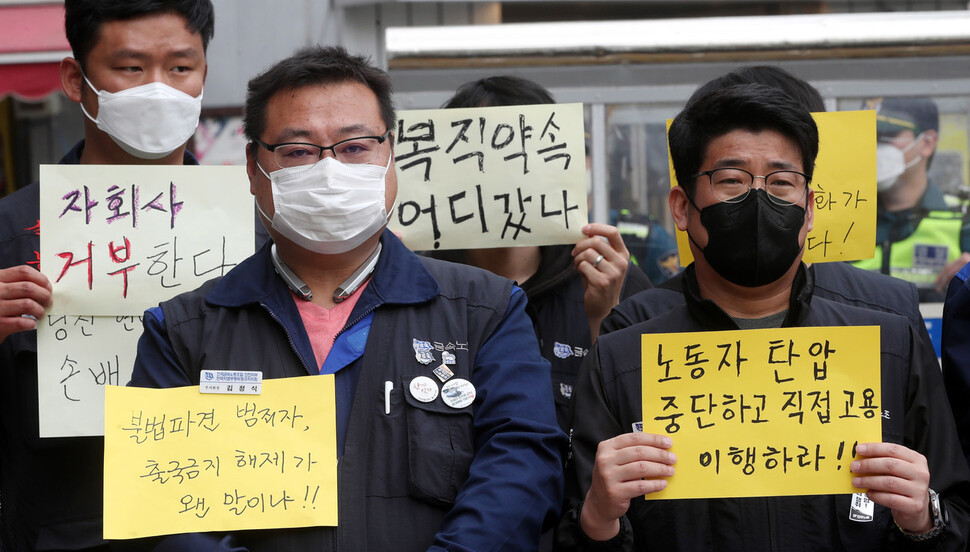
(608, 401)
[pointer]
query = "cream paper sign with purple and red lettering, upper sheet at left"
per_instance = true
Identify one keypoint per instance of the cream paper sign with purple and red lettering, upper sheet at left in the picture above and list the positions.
(119, 239)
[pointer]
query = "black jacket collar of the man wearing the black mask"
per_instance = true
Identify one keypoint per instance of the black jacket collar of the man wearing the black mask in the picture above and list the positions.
(712, 317)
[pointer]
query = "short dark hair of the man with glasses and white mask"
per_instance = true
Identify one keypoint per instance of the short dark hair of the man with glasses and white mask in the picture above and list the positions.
(314, 66)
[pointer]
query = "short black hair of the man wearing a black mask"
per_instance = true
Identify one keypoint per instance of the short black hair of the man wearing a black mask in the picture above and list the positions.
(753, 107)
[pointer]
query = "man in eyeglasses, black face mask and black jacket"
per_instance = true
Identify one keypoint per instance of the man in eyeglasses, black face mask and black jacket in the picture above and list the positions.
(744, 157)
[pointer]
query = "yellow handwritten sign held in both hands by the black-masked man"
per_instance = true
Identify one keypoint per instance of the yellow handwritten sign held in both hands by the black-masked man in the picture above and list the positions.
(762, 412)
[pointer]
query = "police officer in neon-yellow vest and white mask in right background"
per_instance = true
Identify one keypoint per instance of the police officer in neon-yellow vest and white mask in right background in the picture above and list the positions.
(921, 235)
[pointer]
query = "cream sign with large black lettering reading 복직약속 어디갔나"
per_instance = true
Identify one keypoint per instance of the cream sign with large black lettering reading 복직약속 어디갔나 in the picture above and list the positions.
(490, 177)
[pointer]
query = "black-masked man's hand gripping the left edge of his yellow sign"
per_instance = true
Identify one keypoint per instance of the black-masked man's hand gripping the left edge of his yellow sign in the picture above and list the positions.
(626, 466)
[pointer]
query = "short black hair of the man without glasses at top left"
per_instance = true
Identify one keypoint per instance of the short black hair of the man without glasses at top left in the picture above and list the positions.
(83, 19)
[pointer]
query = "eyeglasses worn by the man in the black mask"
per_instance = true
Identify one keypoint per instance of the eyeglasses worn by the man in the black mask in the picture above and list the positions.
(731, 185)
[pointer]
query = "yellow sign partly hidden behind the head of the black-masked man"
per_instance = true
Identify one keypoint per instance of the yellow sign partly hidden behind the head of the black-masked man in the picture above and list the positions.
(845, 190)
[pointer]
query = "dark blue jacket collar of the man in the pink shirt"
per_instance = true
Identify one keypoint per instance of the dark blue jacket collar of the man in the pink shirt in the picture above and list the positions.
(399, 278)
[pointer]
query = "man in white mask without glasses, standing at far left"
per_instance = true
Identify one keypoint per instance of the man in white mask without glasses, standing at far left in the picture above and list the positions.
(138, 71)
